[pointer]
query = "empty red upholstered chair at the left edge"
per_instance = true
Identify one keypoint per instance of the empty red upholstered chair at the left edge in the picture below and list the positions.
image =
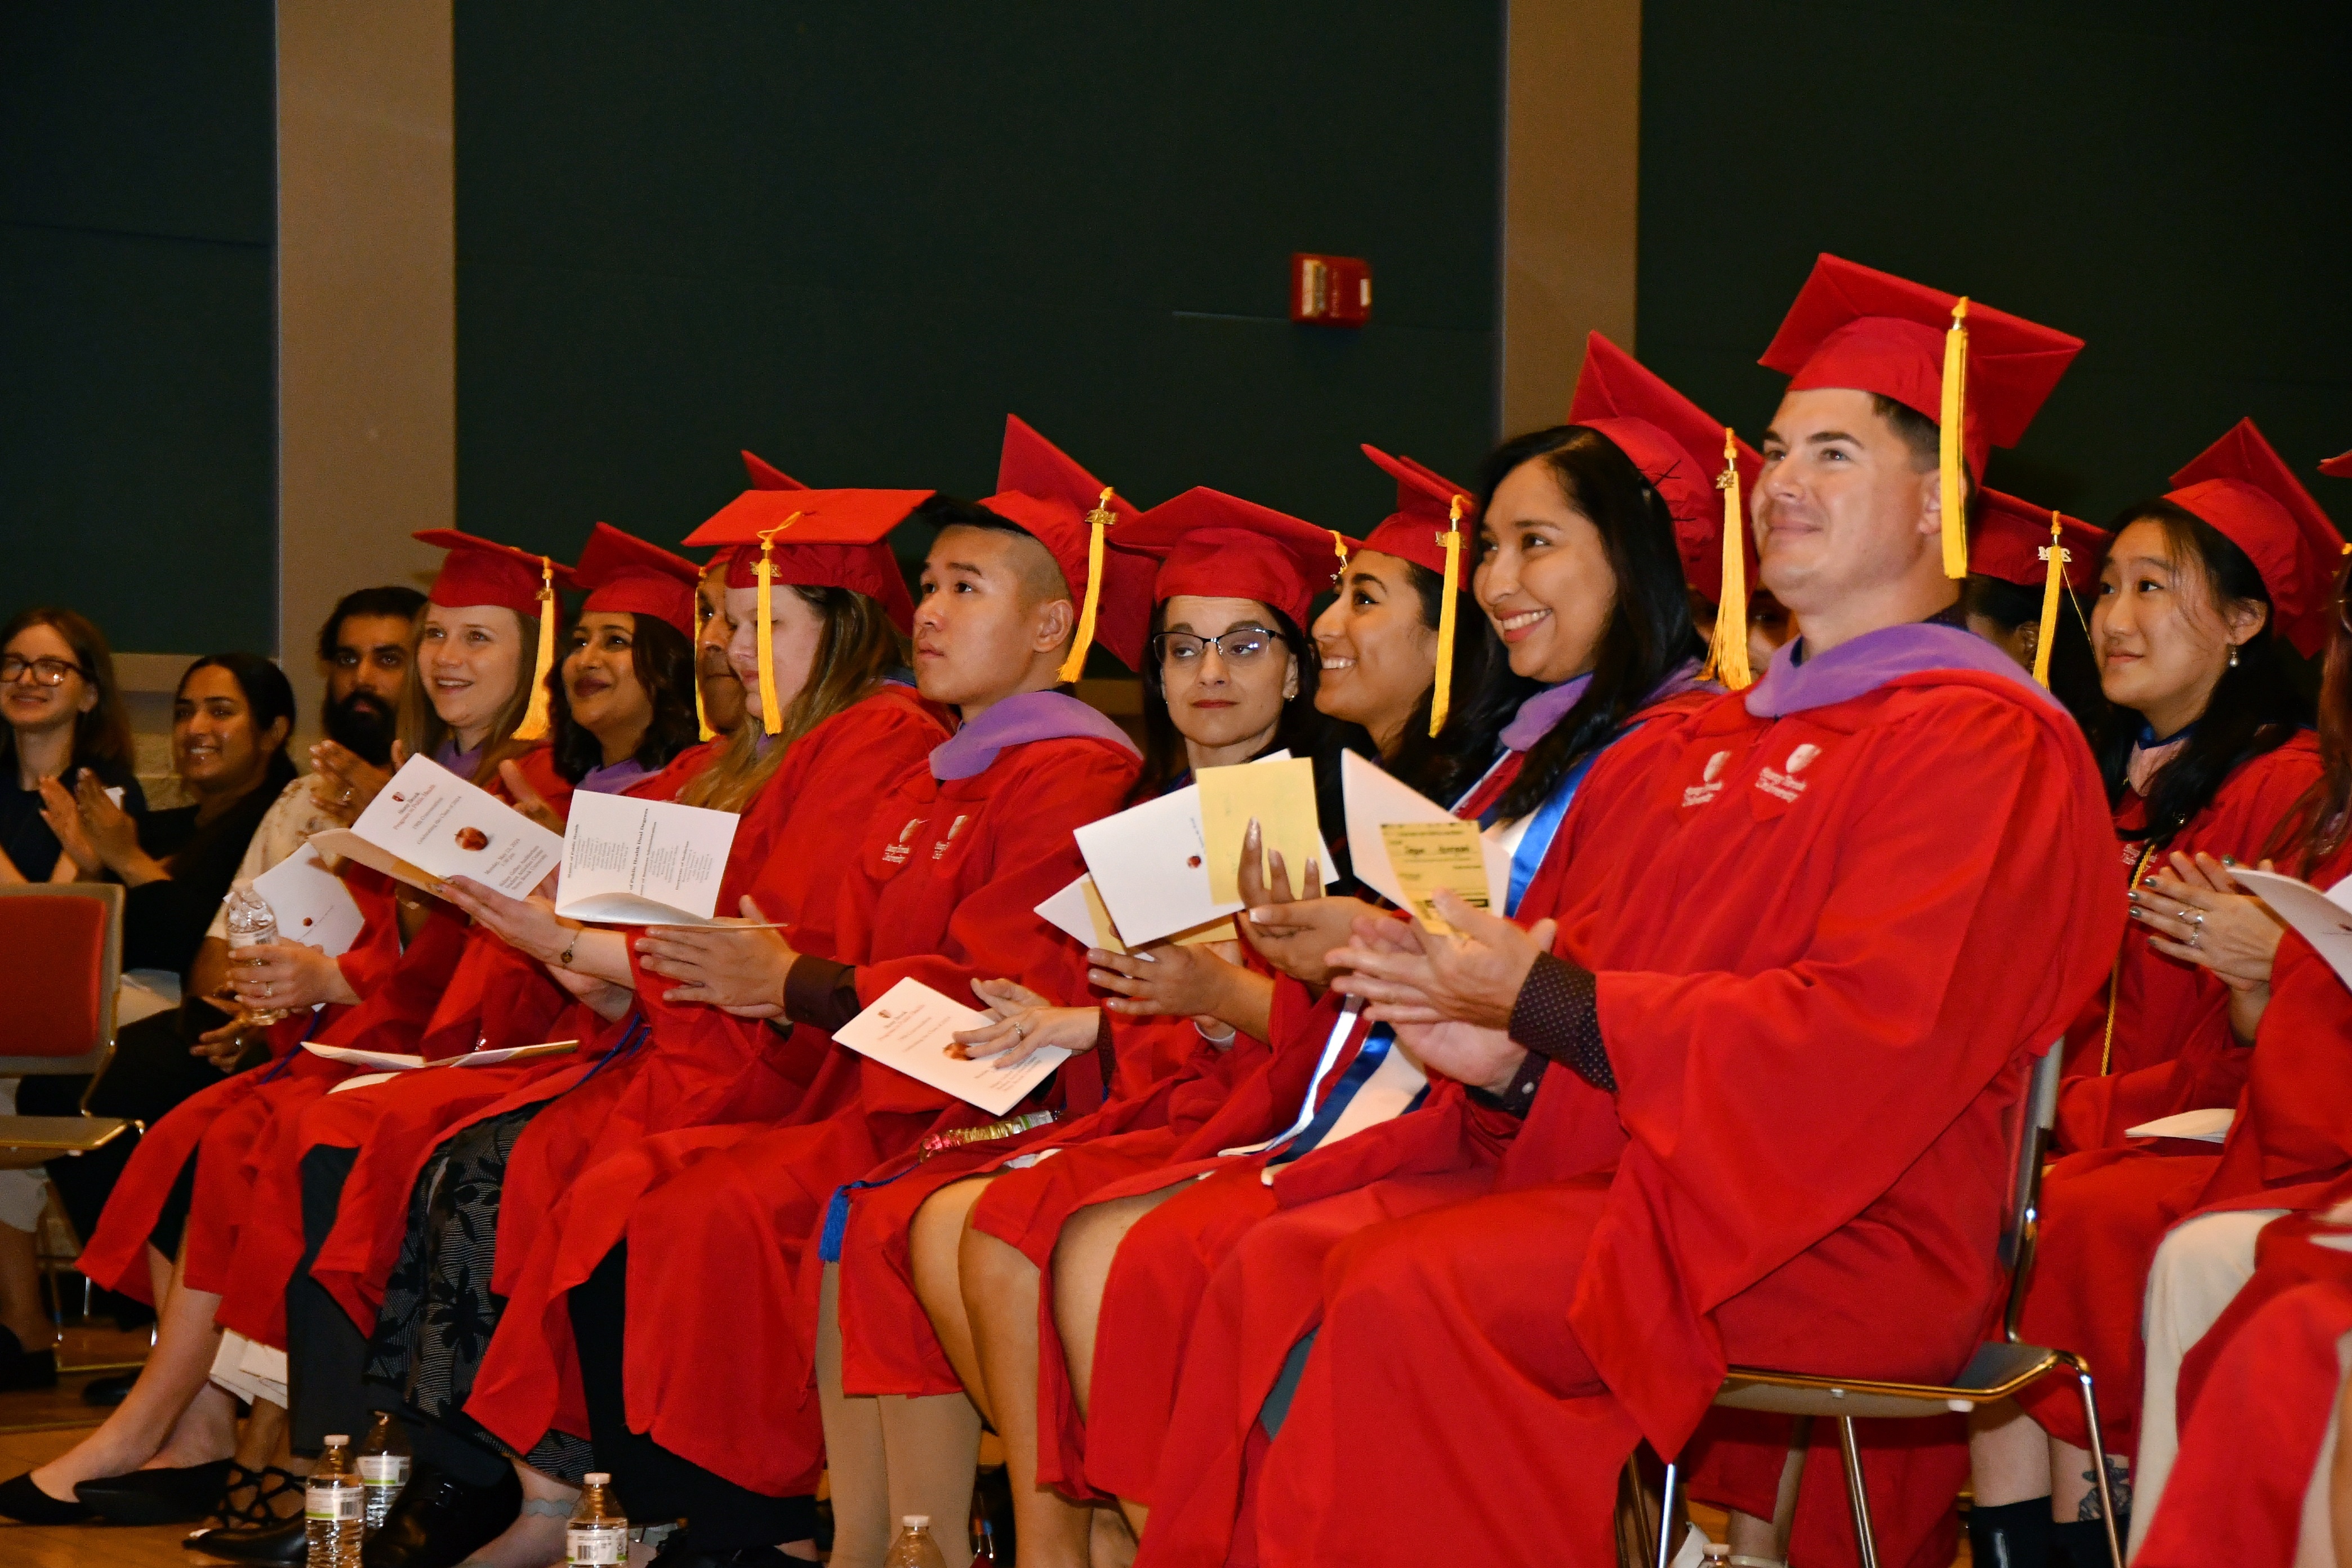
(60, 965)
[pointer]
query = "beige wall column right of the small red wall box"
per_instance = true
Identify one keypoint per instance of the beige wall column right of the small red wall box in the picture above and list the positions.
(1572, 156)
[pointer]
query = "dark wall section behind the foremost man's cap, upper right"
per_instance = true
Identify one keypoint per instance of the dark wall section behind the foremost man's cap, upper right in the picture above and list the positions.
(2156, 177)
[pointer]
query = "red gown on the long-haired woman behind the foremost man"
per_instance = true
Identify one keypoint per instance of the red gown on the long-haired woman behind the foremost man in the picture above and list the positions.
(2172, 1045)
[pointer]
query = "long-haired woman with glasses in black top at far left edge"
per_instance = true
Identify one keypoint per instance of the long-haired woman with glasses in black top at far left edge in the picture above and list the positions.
(62, 716)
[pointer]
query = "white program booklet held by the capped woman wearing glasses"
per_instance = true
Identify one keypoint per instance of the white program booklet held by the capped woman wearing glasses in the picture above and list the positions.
(1151, 866)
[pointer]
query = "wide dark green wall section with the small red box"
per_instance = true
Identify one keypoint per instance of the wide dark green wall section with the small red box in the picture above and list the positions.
(855, 236)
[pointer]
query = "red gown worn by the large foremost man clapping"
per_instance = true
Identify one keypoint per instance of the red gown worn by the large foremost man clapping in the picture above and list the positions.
(1819, 1007)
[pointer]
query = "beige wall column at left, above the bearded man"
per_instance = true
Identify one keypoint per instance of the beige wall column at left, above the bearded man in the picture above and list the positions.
(366, 307)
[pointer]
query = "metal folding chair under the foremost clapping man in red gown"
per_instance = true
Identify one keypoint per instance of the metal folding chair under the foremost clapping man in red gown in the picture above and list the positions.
(2000, 1369)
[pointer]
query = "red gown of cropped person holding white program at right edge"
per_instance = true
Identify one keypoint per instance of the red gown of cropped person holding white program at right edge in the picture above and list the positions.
(2106, 1212)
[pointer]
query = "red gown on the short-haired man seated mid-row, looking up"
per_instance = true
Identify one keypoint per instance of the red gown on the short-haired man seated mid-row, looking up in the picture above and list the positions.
(721, 1254)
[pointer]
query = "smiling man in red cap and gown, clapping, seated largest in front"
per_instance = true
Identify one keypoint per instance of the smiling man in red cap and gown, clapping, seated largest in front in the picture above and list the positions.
(1772, 1052)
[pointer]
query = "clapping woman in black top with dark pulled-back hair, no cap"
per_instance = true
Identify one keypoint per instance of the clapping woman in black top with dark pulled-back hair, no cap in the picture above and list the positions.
(229, 746)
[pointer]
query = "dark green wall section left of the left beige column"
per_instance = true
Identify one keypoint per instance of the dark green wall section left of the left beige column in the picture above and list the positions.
(138, 368)
